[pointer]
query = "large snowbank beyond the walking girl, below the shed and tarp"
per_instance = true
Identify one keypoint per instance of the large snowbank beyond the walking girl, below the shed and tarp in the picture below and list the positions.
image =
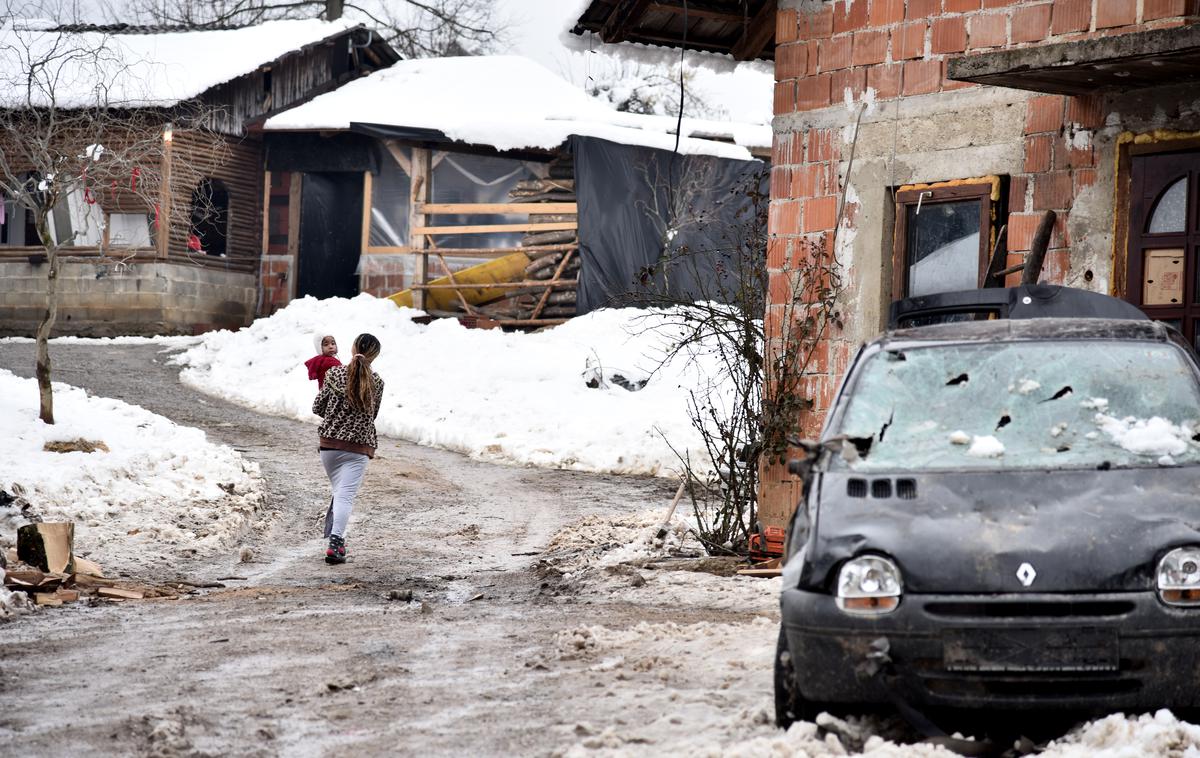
(517, 398)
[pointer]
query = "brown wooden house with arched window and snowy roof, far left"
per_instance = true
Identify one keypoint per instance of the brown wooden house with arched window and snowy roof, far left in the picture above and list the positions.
(185, 256)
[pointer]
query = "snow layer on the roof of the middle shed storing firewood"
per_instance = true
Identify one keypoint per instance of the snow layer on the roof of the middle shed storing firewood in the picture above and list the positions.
(506, 103)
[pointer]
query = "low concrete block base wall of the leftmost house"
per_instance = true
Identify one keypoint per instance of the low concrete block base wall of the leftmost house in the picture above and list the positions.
(109, 300)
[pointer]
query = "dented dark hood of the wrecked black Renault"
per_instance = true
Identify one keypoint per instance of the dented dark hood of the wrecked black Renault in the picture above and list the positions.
(1081, 531)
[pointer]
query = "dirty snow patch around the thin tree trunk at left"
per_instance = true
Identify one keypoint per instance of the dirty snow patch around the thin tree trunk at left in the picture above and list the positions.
(160, 491)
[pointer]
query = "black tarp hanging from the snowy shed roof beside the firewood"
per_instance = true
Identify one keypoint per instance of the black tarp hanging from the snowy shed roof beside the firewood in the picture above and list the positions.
(653, 224)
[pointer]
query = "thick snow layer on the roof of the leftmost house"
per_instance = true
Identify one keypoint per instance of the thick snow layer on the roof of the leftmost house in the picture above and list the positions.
(142, 70)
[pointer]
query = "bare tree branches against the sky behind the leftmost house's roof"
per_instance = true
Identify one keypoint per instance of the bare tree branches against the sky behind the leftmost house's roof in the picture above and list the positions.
(415, 28)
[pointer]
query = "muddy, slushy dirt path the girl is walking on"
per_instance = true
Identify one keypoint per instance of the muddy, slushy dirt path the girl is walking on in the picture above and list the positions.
(305, 659)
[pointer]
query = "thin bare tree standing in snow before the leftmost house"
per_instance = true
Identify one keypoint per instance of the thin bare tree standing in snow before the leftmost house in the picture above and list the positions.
(73, 146)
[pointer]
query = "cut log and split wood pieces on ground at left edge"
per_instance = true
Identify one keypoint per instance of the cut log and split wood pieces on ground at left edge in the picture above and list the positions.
(45, 567)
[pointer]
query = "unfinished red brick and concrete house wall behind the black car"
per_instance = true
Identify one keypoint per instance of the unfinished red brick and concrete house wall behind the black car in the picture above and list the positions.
(885, 62)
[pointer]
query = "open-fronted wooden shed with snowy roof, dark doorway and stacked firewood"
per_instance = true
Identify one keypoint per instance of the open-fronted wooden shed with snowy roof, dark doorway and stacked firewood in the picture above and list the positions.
(452, 185)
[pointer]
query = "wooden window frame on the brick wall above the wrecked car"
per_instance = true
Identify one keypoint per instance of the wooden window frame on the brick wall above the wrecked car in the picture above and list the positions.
(944, 192)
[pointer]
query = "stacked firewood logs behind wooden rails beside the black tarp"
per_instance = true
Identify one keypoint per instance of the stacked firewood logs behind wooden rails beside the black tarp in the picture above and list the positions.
(555, 256)
